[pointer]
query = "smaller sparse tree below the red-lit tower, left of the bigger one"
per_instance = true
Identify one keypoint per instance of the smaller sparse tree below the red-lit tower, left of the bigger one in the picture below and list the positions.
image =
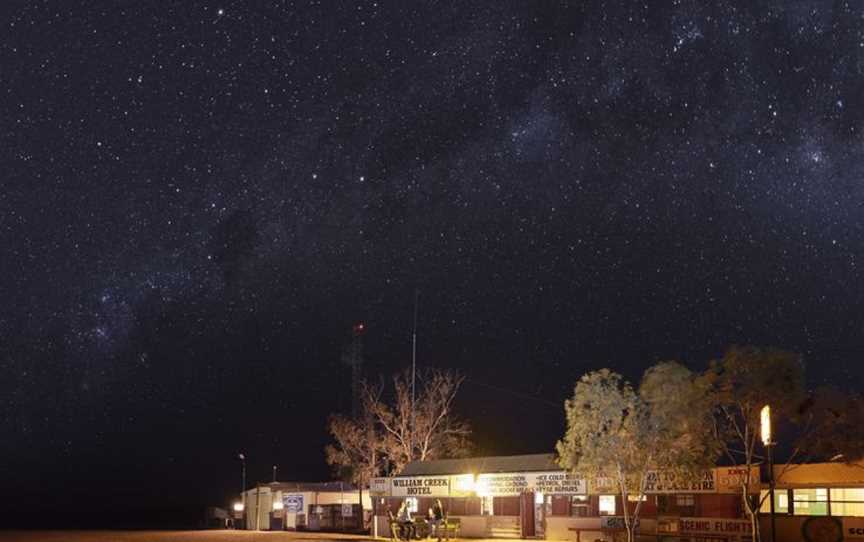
(358, 454)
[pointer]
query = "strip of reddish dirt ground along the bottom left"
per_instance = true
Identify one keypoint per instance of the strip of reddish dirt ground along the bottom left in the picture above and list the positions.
(174, 536)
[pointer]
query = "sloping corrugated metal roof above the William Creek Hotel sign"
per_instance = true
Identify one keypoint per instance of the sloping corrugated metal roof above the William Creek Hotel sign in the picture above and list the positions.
(477, 465)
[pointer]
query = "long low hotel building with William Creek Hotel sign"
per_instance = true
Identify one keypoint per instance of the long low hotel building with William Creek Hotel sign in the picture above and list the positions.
(530, 496)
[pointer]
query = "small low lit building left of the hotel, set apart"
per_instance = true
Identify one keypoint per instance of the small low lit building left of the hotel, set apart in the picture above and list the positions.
(325, 506)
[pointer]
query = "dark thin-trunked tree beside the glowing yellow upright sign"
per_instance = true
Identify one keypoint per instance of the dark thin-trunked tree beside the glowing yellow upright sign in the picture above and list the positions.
(743, 381)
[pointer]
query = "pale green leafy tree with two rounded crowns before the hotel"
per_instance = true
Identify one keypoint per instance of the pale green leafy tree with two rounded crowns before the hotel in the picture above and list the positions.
(614, 432)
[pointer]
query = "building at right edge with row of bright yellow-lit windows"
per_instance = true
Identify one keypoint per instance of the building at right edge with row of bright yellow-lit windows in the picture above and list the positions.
(823, 498)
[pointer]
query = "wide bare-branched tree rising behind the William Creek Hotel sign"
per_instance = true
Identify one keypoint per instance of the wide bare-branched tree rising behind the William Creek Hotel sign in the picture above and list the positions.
(426, 428)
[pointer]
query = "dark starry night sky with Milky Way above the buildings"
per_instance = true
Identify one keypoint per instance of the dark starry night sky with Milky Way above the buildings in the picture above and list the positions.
(199, 199)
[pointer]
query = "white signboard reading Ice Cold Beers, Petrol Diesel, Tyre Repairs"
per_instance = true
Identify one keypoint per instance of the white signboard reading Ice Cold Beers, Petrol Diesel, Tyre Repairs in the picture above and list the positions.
(509, 484)
